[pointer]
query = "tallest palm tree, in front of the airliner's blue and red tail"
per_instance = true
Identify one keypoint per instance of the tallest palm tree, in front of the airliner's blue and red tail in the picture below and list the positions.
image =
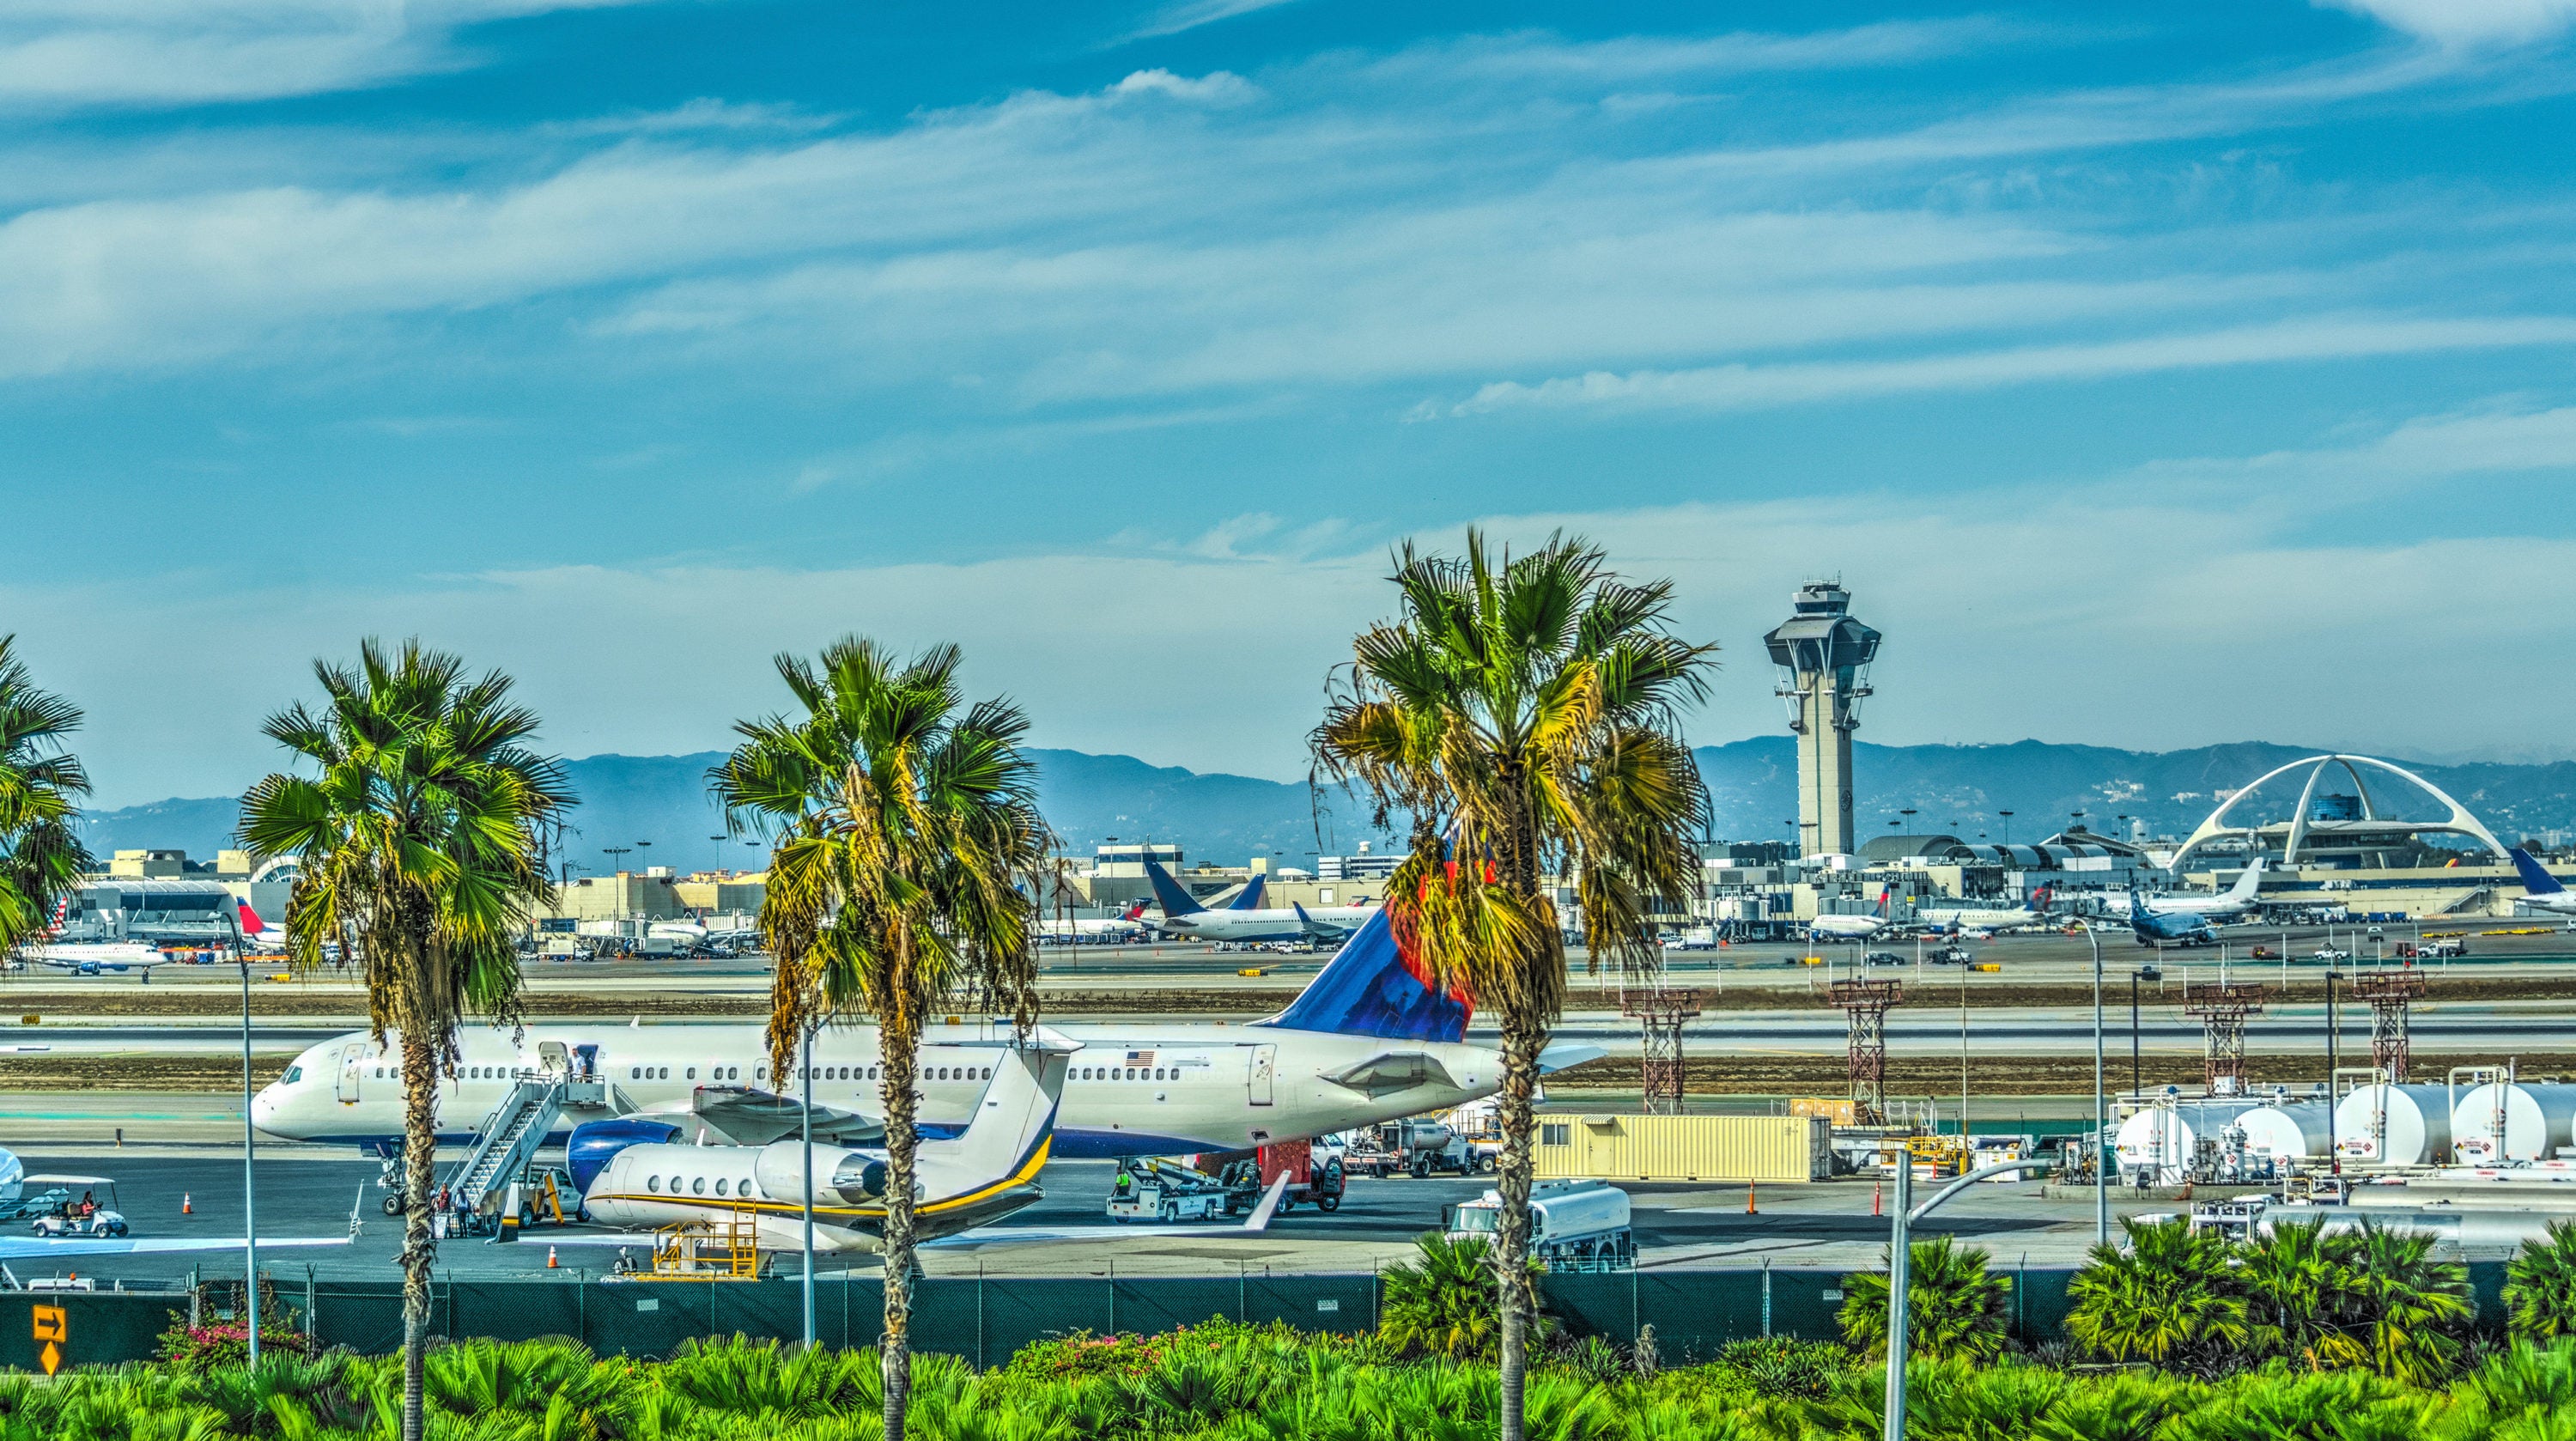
(1524, 718)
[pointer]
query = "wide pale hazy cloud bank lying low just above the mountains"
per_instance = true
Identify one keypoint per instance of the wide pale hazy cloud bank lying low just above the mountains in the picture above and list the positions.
(1977, 651)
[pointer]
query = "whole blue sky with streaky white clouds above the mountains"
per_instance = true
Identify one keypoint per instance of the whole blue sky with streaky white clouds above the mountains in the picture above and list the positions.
(2152, 375)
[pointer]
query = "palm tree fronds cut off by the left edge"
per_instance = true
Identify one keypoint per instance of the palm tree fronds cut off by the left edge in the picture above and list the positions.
(40, 788)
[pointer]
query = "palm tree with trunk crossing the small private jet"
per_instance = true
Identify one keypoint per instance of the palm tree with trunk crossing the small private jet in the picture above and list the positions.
(905, 829)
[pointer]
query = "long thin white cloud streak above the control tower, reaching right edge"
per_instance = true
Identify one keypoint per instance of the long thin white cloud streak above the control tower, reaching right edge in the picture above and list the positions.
(1758, 388)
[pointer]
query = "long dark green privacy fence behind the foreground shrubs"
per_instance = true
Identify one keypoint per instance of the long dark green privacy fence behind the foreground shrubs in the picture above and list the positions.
(985, 1319)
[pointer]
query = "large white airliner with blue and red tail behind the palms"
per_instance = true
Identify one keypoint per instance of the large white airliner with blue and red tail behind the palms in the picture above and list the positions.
(1369, 1040)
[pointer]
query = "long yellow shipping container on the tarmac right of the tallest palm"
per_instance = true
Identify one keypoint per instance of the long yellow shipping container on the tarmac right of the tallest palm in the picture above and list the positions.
(1683, 1148)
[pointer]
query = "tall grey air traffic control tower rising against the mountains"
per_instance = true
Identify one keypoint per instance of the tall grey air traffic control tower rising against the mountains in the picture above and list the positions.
(1825, 672)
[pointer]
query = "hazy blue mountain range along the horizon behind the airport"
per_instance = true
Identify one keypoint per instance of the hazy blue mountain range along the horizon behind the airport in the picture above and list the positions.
(658, 808)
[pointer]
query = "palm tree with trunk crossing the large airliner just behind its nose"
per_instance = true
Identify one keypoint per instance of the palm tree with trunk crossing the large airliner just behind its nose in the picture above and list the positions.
(419, 831)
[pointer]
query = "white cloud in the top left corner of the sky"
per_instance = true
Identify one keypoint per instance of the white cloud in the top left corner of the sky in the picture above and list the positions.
(179, 53)
